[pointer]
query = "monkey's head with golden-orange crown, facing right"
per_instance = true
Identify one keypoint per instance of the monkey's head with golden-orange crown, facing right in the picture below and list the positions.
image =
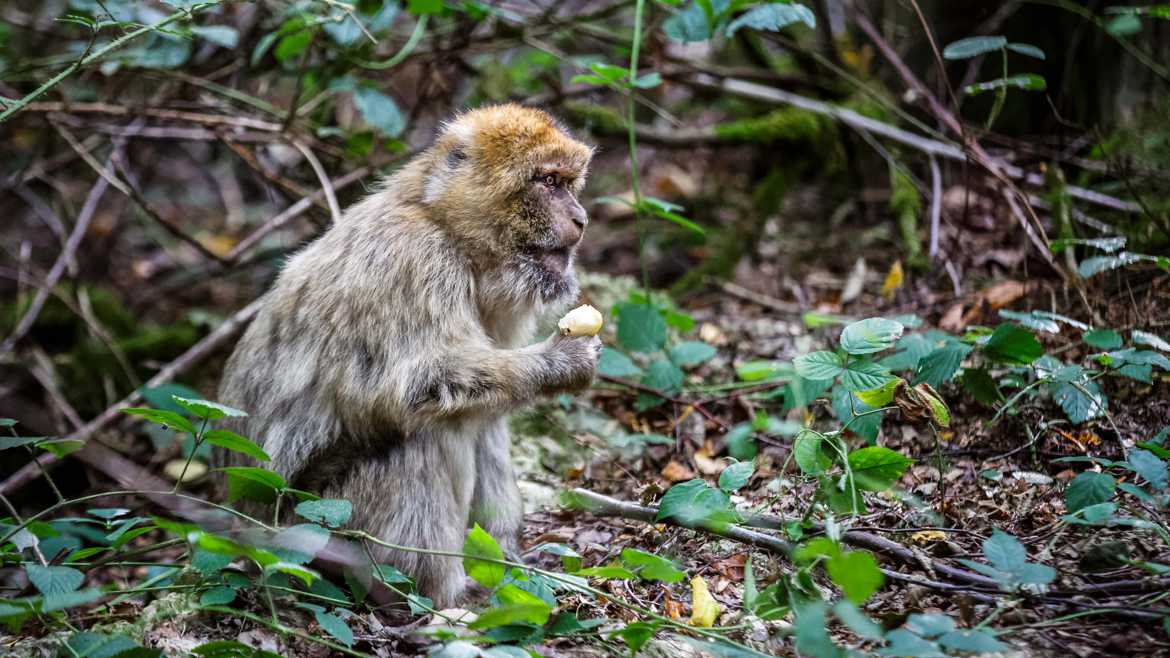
(505, 182)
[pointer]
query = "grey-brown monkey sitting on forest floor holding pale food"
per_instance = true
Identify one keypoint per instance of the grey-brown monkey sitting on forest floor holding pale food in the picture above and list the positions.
(390, 351)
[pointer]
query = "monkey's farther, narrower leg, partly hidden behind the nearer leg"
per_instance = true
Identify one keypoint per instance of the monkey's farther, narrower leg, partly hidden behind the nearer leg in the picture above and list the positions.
(497, 505)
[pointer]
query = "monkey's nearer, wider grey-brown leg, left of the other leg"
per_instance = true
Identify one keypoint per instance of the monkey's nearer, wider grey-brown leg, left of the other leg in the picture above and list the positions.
(417, 496)
